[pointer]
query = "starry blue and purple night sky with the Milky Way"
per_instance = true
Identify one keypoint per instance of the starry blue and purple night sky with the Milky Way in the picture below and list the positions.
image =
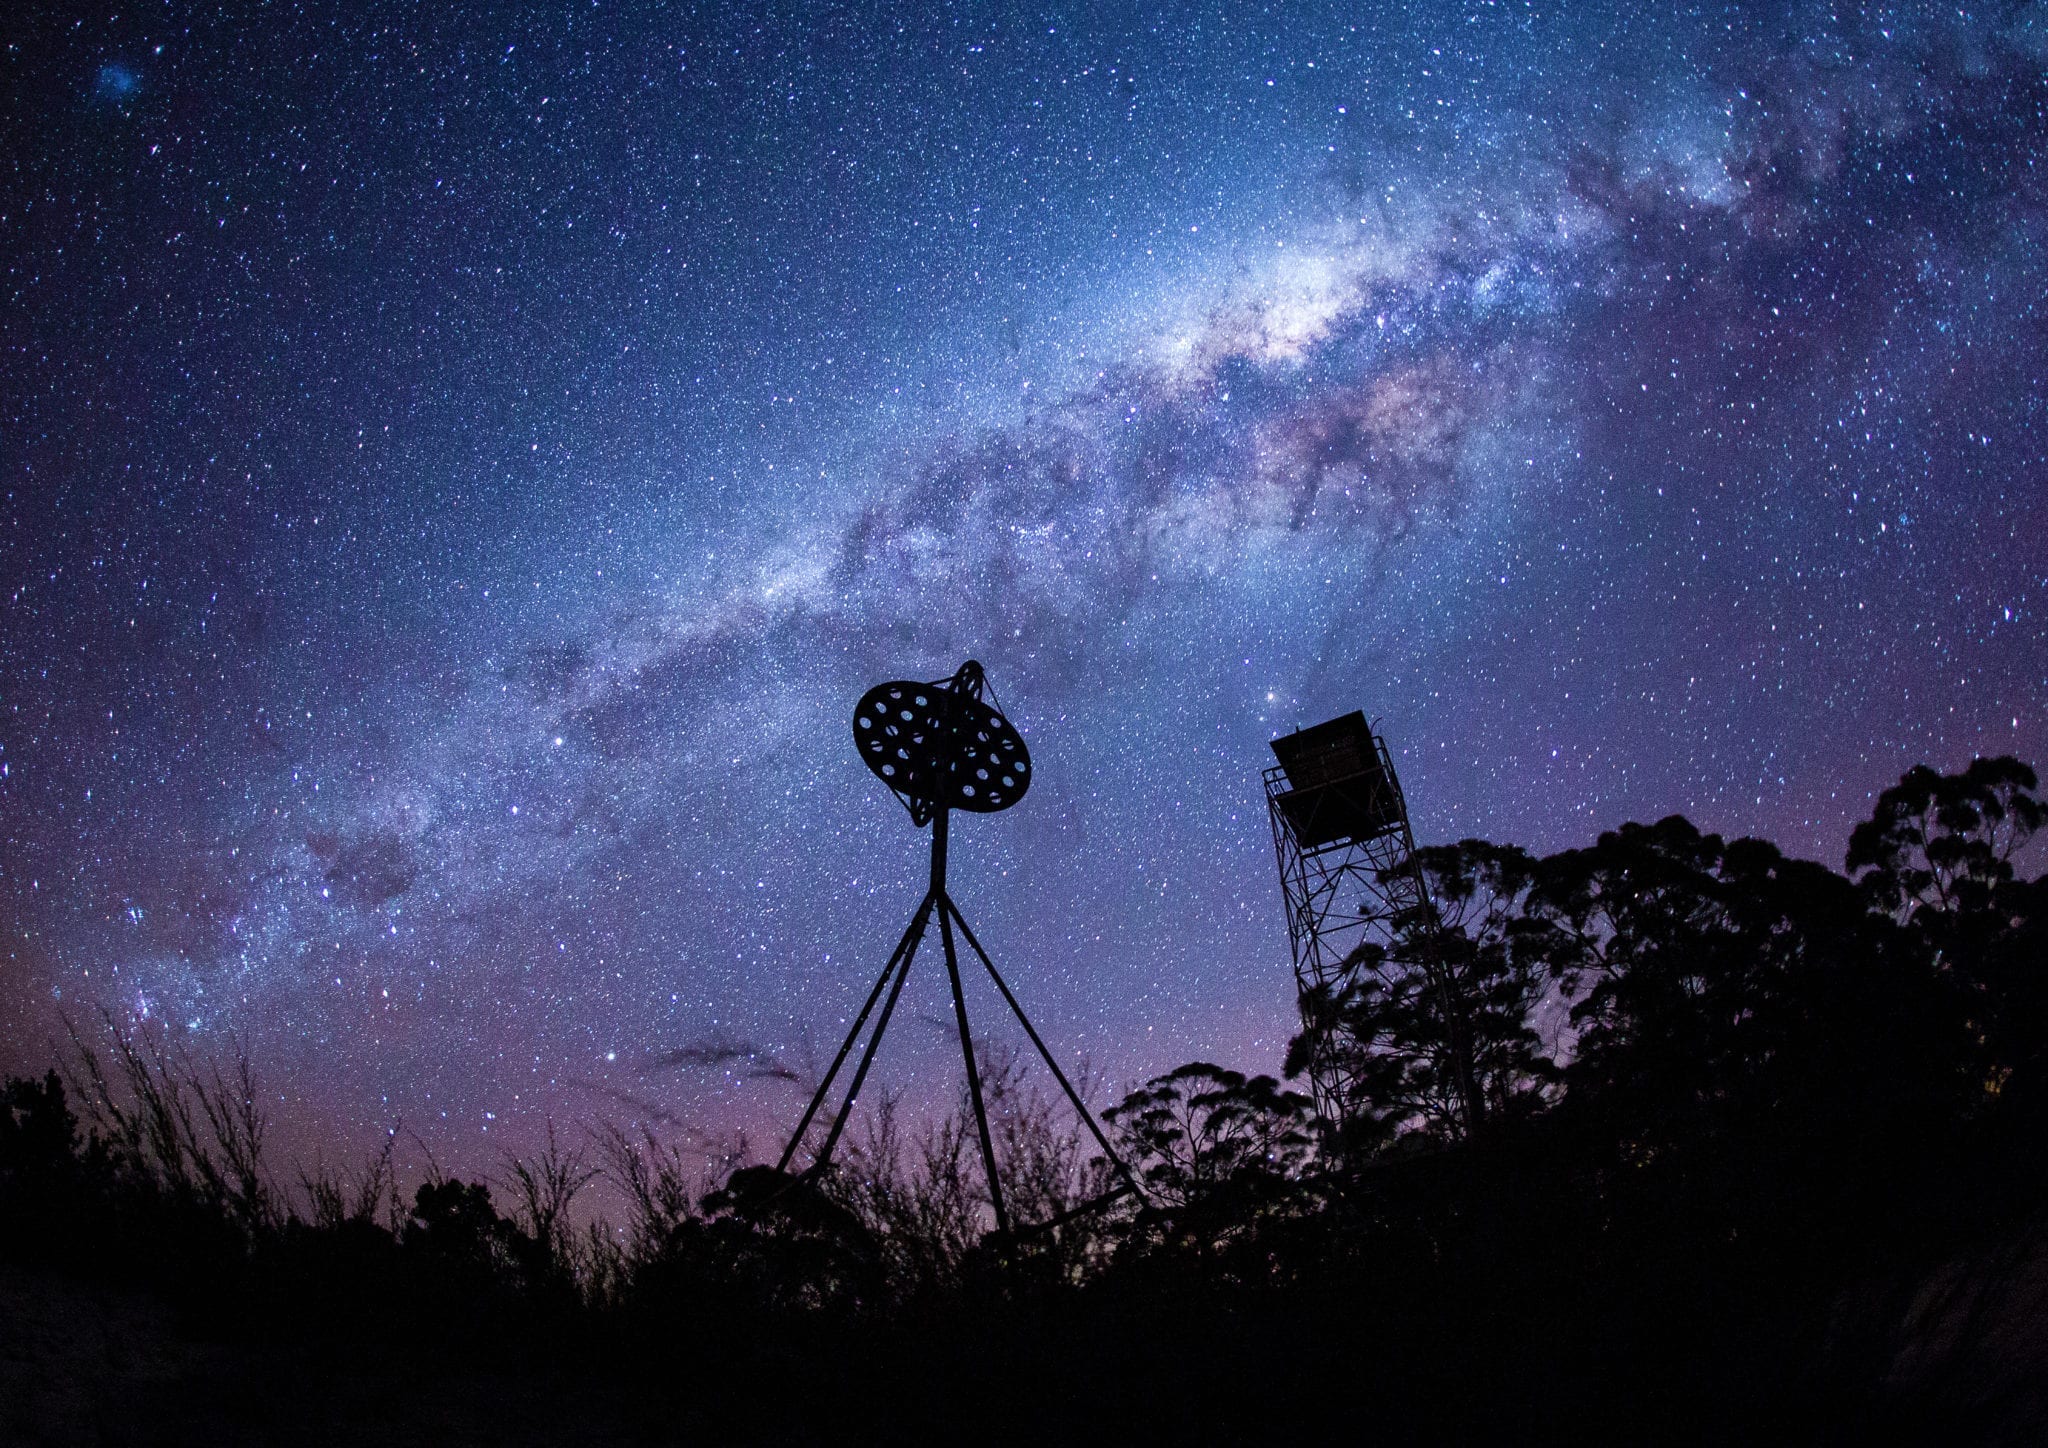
(462, 464)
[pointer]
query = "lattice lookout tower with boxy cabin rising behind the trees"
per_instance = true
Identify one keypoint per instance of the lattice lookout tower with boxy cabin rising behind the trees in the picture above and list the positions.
(1347, 867)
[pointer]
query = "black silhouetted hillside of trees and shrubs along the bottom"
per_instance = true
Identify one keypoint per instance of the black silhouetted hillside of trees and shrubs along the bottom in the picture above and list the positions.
(1676, 1140)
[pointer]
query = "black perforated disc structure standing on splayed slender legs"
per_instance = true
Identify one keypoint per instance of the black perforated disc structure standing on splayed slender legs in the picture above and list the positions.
(941, 747)
